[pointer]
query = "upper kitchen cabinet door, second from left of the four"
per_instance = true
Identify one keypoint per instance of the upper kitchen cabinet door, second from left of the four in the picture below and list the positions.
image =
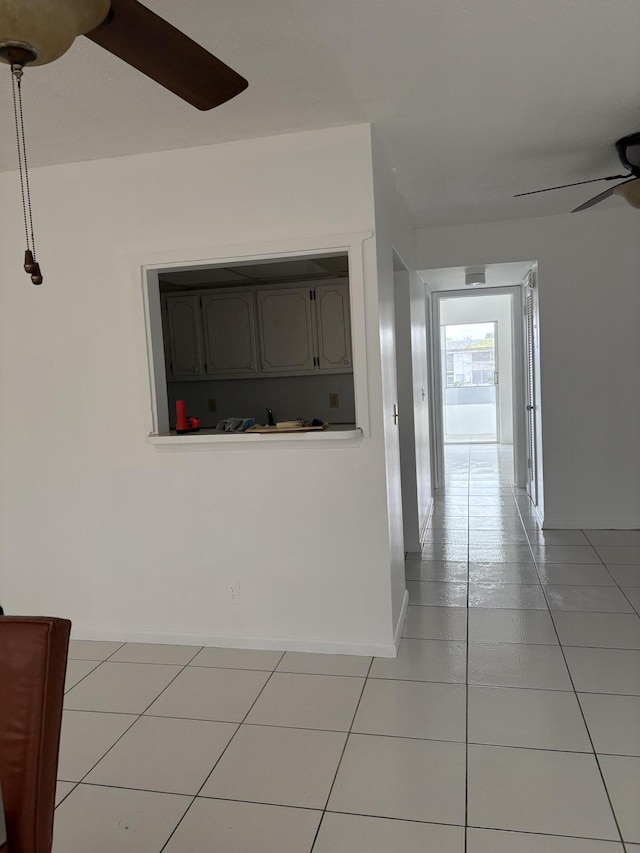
(229, 334)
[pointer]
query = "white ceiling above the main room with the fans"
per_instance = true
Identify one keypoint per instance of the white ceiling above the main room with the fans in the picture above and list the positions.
(471, 100)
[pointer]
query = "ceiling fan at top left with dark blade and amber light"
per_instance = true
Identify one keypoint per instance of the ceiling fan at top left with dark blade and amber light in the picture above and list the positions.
(34, 32)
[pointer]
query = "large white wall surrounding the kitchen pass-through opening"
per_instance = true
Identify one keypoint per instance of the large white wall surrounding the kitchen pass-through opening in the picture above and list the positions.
(100, 526)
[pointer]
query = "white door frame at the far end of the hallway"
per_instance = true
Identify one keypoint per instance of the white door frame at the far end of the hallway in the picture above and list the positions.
(518, 377)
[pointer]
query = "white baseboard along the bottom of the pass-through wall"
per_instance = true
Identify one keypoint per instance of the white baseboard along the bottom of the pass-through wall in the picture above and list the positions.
(279, 644)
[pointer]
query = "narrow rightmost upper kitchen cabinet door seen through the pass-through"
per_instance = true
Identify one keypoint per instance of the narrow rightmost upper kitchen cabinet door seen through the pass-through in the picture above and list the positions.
(333, 322)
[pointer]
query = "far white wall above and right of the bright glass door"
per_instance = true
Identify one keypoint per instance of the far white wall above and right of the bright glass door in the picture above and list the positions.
(484, 309)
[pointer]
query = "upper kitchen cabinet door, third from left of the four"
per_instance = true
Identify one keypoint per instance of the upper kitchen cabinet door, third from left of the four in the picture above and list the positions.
(286, 331)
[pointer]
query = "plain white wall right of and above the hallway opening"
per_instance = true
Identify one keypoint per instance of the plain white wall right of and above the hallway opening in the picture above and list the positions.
(589, 288)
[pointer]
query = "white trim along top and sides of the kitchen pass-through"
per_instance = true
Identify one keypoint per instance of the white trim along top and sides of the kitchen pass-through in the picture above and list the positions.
(146, 267)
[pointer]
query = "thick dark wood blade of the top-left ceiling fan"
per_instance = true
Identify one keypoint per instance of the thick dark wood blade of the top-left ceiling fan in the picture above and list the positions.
(156, 48)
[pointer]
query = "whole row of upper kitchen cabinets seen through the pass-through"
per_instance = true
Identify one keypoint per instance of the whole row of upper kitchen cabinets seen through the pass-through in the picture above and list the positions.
(251, 331)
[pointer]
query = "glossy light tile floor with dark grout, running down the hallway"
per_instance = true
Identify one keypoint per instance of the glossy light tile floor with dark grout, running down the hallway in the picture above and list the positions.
(509, 723)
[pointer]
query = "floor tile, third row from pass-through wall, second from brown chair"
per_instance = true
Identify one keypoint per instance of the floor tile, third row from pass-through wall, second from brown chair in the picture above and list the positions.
(164, 754)
